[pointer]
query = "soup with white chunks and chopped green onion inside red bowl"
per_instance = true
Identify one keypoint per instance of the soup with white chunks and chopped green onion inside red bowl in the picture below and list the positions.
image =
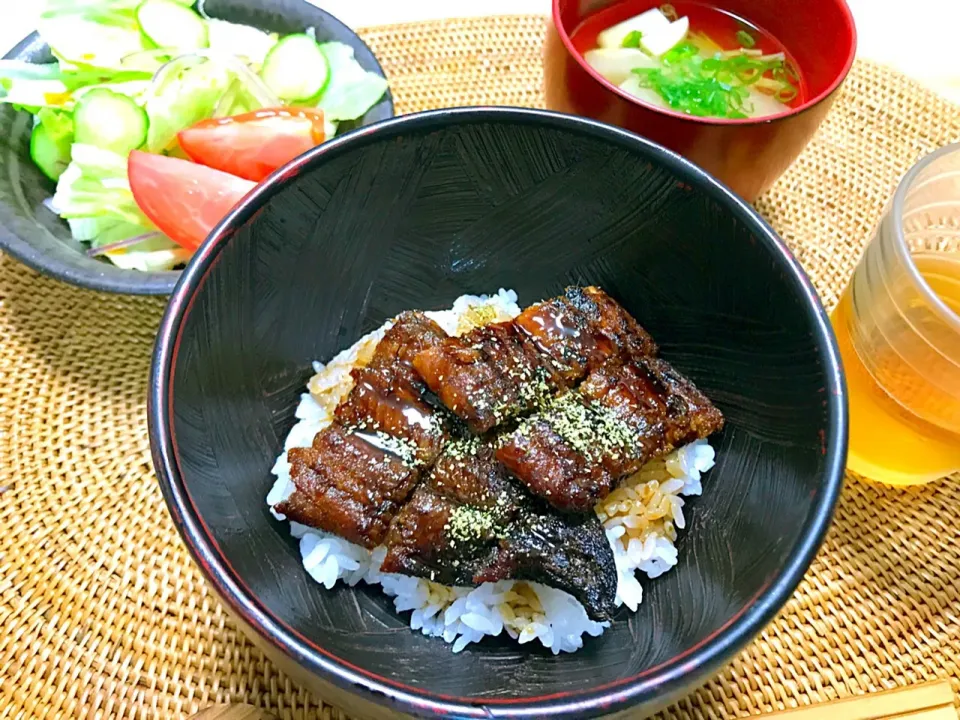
(696, 59)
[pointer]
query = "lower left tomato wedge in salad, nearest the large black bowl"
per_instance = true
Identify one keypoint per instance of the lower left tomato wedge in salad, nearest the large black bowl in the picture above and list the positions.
(184, 200)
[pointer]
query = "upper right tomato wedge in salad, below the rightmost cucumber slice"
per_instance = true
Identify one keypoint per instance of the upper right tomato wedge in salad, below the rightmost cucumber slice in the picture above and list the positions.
(254, 144)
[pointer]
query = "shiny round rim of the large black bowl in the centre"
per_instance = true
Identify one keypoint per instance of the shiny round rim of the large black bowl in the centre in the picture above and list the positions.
(659, 683)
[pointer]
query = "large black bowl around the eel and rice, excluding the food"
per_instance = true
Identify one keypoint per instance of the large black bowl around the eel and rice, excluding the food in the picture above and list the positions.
(412, 213)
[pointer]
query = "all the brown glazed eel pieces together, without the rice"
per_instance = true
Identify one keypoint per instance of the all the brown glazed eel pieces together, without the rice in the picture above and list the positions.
(397, 468)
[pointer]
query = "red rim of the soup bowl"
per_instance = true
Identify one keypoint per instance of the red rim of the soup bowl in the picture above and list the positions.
(850, 26)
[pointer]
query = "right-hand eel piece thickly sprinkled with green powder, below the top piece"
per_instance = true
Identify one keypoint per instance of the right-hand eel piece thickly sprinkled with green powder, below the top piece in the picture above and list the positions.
(625, 413)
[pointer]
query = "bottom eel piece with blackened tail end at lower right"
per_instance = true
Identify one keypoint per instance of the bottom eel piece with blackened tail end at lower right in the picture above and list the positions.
(469, 523)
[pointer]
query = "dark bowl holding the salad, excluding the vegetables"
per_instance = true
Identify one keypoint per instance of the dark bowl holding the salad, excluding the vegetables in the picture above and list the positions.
(35, 235)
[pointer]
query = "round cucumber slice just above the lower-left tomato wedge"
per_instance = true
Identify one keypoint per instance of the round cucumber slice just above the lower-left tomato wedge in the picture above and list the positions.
(110, 121)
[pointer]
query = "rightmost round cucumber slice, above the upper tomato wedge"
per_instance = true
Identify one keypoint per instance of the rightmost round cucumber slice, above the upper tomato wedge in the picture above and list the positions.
(295, 68)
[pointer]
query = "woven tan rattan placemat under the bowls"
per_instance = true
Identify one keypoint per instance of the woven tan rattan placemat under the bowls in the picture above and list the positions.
(103, 614)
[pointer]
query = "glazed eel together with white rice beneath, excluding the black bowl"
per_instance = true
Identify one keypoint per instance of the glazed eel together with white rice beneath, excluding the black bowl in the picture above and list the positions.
(497, 470)
